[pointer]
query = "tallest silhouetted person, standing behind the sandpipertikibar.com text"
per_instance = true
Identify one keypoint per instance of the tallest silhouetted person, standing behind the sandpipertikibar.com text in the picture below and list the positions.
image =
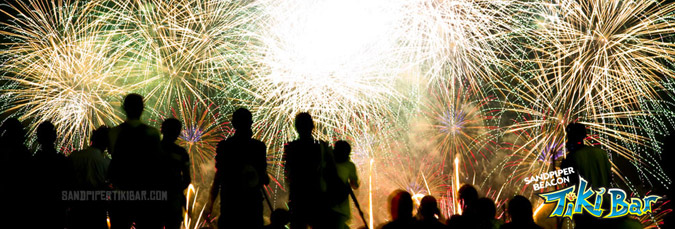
(135, 151)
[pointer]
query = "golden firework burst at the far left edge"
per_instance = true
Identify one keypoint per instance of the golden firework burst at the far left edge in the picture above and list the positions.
(59, 68)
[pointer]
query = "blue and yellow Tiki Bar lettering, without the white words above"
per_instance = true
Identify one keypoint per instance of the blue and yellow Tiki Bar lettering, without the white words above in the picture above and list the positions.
(572, 200)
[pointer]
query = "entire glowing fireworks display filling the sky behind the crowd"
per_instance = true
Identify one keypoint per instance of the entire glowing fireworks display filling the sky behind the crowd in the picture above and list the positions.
(367, 72)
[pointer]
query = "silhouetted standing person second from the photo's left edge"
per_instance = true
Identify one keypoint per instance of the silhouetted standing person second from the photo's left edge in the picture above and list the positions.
(51, 175)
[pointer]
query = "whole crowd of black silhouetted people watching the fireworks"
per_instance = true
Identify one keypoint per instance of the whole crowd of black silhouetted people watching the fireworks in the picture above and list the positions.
(41, 189)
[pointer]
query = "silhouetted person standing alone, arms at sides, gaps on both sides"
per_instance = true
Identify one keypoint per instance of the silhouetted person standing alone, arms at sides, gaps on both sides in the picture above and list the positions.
(241, 172)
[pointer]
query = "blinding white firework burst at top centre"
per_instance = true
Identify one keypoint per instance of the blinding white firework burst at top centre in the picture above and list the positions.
(352, 63)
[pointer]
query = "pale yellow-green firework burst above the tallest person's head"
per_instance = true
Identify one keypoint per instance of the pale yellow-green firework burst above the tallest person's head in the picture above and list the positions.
(183, 49)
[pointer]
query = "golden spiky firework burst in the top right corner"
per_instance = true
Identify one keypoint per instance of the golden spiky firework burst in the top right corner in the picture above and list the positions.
(608, 52)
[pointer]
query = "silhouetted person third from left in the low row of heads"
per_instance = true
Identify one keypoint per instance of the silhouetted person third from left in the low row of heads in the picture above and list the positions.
(467, 195)
